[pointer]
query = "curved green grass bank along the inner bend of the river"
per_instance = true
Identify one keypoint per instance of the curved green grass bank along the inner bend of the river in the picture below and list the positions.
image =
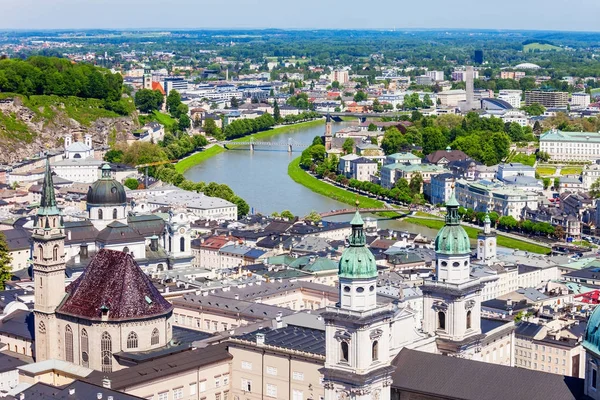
(333, 192)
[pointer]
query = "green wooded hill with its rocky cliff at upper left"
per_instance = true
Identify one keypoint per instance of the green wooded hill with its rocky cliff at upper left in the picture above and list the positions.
(43, 98)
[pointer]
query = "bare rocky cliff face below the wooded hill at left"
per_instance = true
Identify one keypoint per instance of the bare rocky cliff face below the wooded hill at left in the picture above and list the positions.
(34, 134)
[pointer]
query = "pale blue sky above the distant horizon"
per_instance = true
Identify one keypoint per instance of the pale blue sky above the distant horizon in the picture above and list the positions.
(575, 15)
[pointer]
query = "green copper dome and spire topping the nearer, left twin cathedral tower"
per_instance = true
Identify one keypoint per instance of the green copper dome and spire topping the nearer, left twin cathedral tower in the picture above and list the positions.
(357, 261)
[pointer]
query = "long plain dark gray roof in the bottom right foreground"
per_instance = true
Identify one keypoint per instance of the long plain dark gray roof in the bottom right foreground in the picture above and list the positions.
(446, 377)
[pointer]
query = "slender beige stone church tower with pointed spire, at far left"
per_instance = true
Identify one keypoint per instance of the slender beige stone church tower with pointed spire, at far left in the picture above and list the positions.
(48, 270)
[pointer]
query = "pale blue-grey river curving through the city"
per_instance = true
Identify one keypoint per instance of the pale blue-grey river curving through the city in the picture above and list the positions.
(261, 178)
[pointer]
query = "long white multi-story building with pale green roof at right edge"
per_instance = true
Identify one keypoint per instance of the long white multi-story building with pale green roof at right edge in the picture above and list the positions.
(571, 146)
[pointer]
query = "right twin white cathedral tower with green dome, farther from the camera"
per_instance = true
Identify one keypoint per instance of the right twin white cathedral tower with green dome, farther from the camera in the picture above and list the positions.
(452, 299)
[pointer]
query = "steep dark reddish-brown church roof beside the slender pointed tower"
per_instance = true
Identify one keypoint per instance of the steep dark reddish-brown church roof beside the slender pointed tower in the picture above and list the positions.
(114, 280)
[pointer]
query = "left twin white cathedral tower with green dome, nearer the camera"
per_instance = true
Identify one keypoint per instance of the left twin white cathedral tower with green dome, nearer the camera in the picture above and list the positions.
(357, 330)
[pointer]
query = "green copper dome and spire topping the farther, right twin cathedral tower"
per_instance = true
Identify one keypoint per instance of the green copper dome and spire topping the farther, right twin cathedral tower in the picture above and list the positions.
(452, 238)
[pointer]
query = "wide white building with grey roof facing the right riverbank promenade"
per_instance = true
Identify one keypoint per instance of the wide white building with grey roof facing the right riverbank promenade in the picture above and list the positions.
(494, 196)
